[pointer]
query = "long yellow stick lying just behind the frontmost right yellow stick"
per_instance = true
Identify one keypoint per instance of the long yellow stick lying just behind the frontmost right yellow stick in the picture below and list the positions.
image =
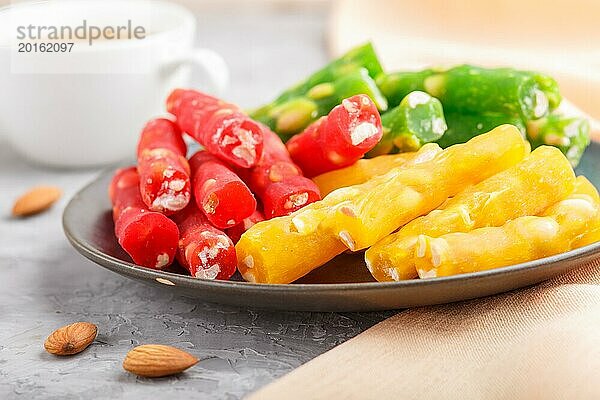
(528, 188)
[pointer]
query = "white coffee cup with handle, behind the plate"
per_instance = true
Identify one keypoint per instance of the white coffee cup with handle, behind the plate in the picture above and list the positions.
(86, 107)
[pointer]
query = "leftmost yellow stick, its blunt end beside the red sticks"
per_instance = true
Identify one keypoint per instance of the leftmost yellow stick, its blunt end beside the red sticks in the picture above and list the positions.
(284, 249)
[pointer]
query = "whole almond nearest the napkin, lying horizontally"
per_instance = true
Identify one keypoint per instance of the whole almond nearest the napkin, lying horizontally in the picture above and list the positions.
(156, 360)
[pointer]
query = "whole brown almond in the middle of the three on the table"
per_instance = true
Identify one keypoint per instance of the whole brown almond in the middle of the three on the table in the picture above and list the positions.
(71, 339)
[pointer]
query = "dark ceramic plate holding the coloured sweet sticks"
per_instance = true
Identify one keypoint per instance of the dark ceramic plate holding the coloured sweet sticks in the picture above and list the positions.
(342, 285)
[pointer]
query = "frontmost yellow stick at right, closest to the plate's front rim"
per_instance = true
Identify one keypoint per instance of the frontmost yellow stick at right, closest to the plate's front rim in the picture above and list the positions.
(520, 240)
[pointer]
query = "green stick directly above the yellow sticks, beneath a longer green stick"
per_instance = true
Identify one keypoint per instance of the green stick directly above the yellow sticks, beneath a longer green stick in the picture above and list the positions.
(464, 127)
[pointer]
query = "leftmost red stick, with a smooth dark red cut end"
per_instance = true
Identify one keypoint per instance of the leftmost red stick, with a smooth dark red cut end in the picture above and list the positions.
(150, 238)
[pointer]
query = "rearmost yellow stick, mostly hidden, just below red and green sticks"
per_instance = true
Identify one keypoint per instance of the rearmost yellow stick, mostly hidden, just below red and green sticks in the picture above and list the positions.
(364, 169)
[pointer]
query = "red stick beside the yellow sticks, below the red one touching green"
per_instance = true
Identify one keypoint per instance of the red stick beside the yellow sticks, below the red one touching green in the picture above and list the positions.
(277, 181)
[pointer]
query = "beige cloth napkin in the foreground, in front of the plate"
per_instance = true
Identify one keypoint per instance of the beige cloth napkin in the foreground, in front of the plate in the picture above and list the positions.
(541, 342)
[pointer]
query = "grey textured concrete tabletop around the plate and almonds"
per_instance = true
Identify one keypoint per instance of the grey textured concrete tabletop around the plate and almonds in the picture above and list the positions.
(45, 284)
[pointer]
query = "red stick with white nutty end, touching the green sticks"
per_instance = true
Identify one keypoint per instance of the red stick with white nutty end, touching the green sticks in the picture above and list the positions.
(340, 139)
